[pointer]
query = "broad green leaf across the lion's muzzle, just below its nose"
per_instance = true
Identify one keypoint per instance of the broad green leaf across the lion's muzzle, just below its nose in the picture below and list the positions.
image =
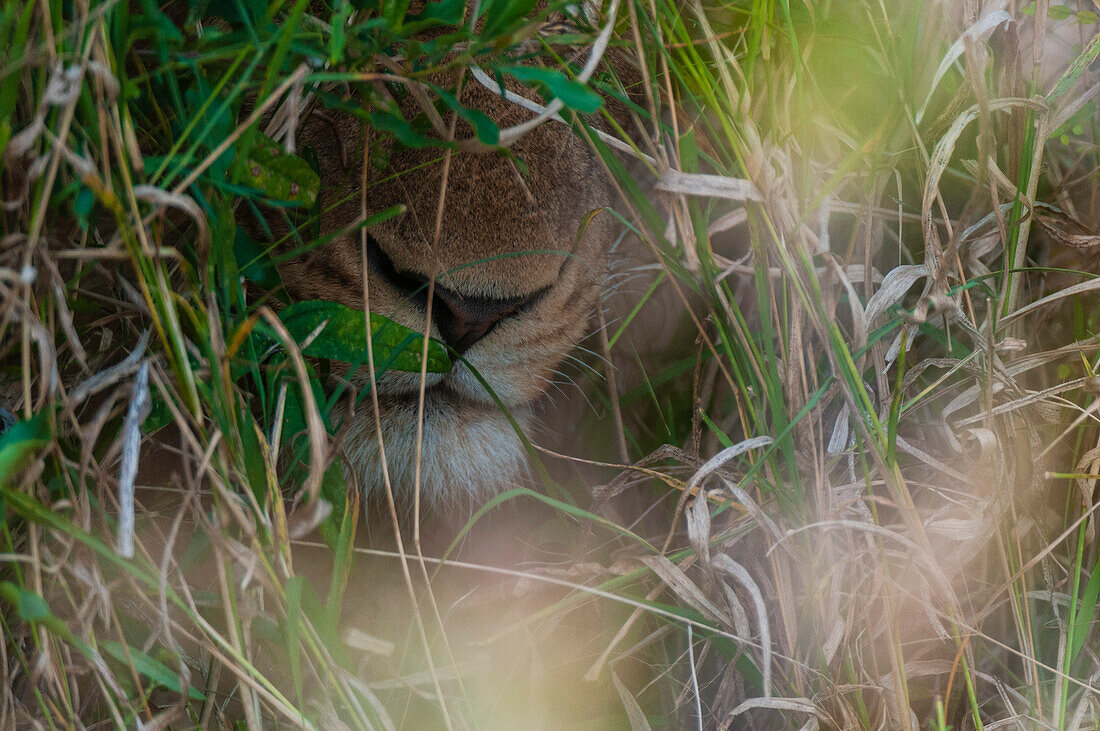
(344, 338)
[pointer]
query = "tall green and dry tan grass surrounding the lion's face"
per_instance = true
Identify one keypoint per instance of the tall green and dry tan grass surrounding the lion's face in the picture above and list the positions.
(860, 494)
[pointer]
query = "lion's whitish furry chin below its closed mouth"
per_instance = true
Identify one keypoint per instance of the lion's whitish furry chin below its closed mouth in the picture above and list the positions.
(468, 451)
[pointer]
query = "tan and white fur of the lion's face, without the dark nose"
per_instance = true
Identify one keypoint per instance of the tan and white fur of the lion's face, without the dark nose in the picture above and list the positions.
(496, 215)
